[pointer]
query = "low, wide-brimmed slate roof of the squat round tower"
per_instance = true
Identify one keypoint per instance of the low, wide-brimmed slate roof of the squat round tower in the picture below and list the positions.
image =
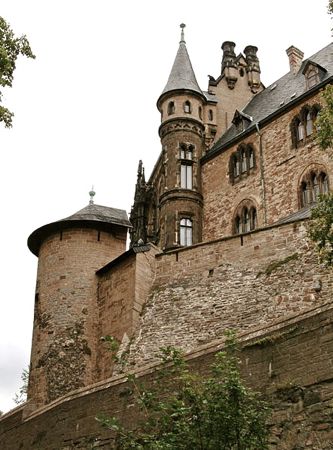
(100, 217)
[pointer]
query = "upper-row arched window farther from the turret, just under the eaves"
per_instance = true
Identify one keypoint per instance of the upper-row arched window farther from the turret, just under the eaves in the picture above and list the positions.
(302, 125)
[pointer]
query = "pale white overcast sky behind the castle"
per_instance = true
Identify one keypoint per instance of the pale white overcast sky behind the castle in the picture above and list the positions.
(85, 113)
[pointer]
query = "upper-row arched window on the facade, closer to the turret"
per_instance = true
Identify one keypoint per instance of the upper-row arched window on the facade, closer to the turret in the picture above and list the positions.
(241, 162)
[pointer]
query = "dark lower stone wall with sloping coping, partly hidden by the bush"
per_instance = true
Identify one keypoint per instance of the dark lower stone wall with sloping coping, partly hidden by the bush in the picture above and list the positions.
(291, 362)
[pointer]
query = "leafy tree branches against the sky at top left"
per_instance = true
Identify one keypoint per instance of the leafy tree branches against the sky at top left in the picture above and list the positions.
(10, 48)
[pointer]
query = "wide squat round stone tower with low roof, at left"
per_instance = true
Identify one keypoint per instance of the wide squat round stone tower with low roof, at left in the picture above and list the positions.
(70, 251)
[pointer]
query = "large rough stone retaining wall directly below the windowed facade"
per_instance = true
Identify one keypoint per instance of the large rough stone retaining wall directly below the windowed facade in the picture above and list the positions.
(236, 283)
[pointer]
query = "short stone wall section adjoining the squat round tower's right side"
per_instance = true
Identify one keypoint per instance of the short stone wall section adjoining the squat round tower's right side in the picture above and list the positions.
(122, 293)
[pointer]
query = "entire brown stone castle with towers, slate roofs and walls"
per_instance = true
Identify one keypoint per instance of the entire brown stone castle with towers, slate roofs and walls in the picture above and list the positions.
(217, 240)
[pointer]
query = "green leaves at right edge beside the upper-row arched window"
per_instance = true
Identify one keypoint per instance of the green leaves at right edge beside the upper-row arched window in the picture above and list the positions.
(324, 121)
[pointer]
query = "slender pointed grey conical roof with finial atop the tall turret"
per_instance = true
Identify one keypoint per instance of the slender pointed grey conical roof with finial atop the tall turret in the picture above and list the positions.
(182, 75)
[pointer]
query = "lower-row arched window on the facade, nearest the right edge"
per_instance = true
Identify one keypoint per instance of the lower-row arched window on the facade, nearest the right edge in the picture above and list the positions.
(313, 184)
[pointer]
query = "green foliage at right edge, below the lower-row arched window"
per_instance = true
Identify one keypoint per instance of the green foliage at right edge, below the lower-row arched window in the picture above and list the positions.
(321, 228)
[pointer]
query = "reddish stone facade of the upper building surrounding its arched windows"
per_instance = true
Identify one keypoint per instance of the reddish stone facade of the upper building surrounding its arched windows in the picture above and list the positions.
(273, 185)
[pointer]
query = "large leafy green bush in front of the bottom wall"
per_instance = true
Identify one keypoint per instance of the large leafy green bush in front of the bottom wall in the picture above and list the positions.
(186, 411)
